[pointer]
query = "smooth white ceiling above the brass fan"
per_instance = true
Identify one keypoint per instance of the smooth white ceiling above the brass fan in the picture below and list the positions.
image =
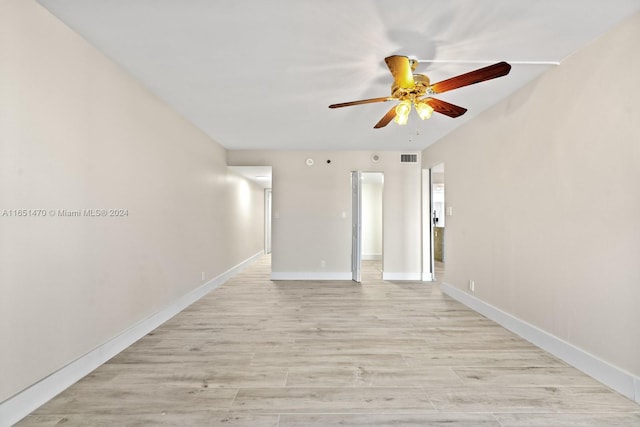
(259, 74)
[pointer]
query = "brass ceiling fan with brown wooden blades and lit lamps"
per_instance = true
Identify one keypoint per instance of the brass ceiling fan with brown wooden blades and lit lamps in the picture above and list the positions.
(416, 89)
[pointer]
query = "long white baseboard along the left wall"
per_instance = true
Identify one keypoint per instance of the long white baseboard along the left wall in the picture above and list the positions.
(23, 403)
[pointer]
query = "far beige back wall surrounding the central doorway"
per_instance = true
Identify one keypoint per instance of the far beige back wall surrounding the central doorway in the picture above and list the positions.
(308, 203)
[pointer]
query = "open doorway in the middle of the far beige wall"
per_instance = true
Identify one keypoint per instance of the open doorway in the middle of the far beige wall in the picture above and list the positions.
(367, 225)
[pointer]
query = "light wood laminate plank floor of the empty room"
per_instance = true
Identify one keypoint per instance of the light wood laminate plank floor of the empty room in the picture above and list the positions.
(281, 354)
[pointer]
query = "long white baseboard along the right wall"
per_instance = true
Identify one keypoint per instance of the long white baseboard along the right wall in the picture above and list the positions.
(621, 381)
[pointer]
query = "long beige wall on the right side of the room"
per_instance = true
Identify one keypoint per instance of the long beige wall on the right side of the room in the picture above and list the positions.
(545, 189)
